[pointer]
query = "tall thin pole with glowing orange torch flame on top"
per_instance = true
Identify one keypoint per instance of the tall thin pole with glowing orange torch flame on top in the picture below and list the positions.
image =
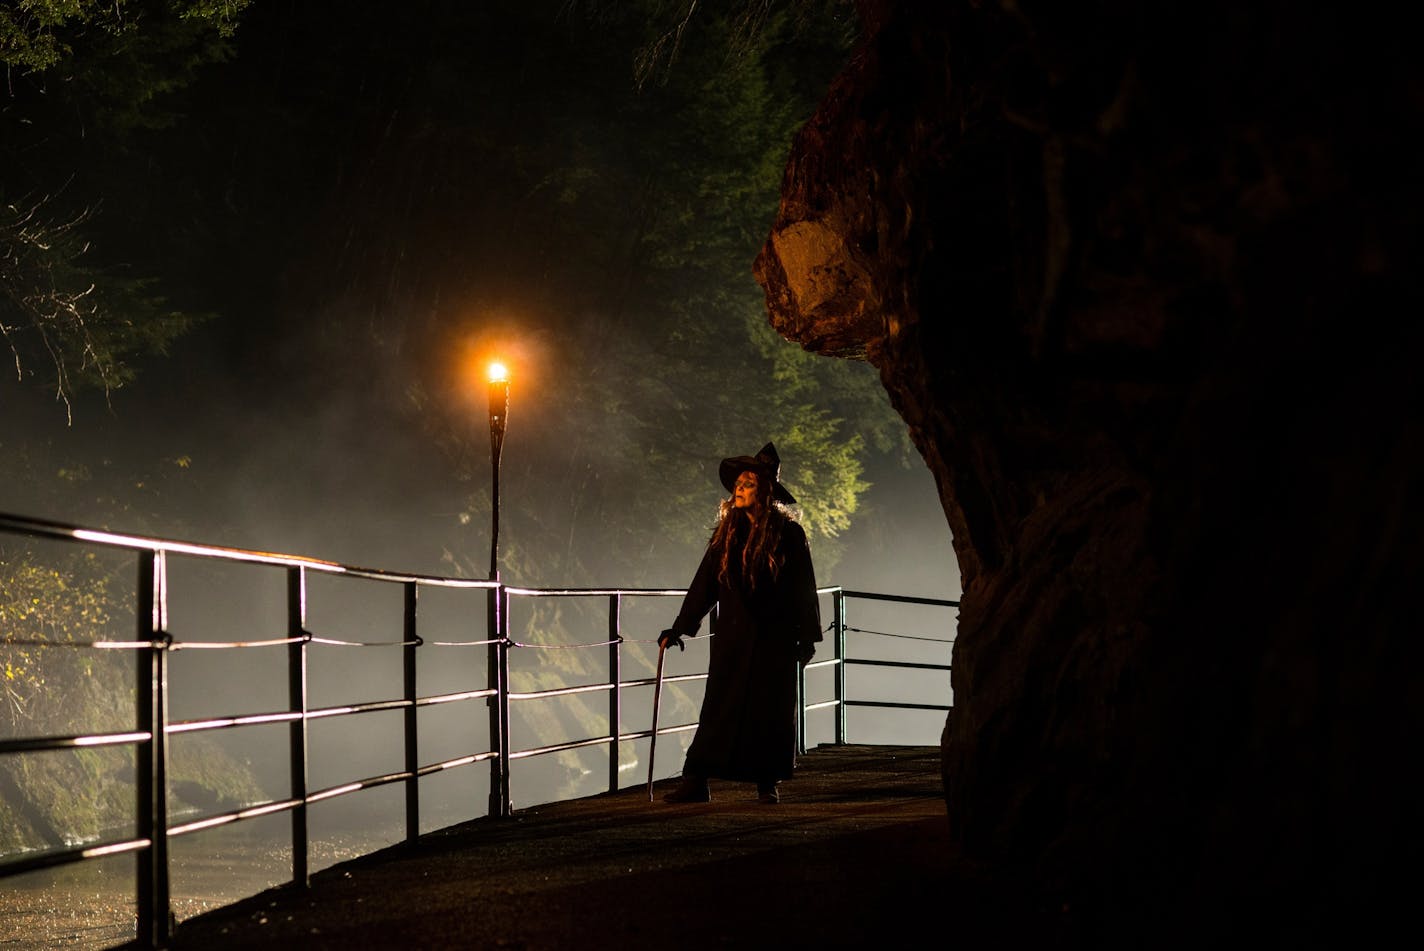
(498, 664)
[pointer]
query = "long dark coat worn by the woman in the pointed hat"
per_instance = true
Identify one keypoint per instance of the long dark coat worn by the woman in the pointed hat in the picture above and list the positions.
(748, 725)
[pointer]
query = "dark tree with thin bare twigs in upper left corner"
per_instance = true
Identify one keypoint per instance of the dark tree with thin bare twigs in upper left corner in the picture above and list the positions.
(68, 317)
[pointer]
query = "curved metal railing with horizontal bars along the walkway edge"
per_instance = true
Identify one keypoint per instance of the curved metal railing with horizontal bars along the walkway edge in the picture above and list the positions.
(155, 646)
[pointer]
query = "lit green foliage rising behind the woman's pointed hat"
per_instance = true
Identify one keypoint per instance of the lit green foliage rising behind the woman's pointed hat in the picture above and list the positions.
(717, 379)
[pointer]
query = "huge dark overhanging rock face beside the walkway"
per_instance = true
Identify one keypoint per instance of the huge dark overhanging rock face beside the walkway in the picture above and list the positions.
(1144, 283)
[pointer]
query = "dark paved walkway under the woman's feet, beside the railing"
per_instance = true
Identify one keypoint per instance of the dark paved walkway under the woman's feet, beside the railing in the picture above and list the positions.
(857, 855)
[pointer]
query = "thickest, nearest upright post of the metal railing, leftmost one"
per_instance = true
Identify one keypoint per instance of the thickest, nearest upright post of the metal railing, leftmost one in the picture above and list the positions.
(152, 611)
